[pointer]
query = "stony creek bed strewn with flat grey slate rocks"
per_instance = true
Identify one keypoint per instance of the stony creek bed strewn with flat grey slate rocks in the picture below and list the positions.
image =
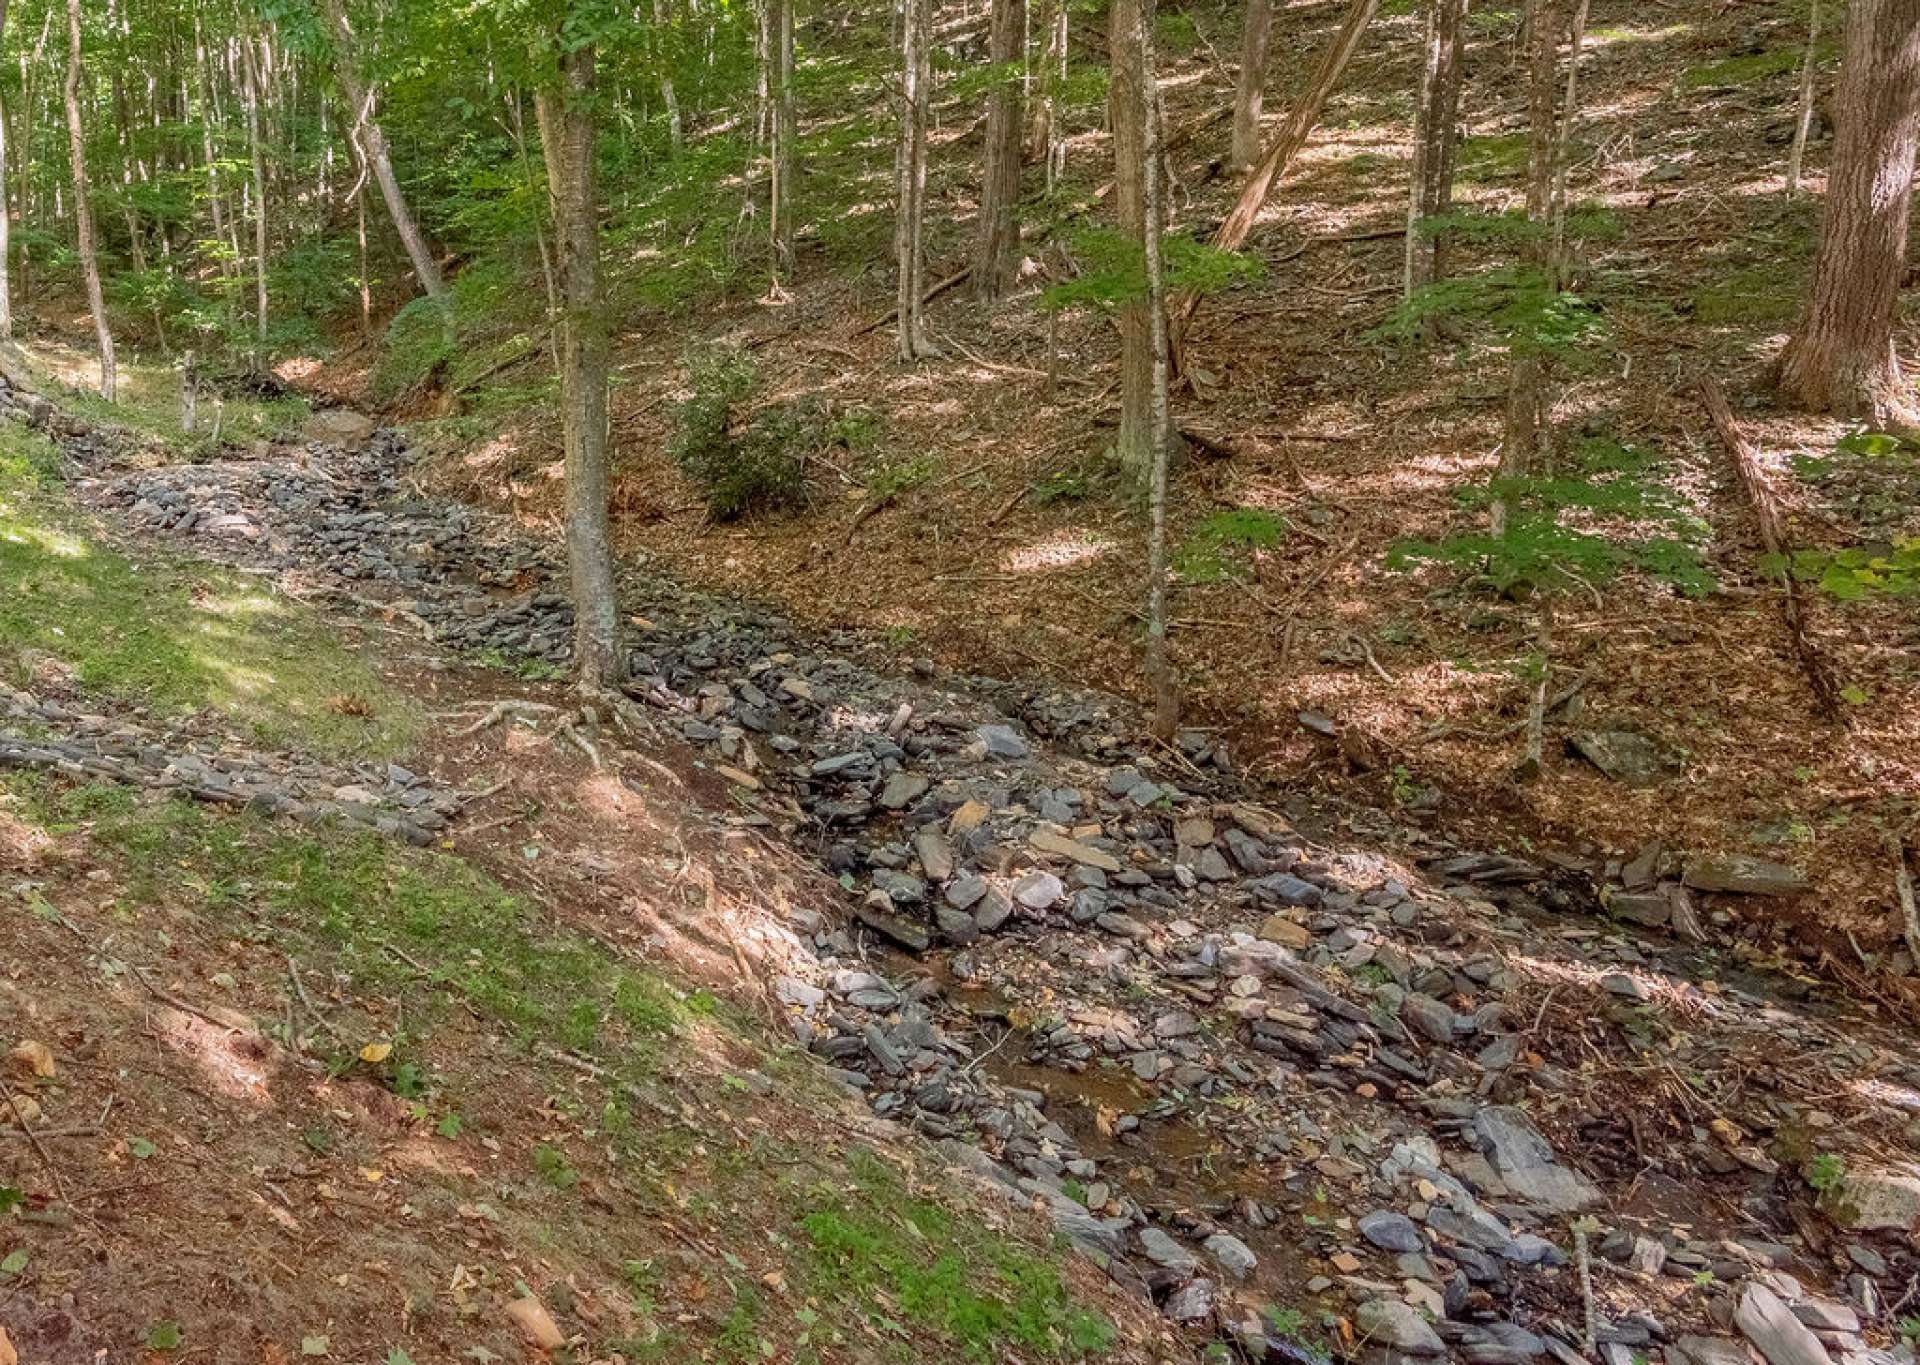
(1301, 1078)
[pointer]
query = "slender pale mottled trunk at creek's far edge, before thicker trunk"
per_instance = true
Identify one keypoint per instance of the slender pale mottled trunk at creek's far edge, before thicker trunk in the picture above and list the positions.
(1161, 421)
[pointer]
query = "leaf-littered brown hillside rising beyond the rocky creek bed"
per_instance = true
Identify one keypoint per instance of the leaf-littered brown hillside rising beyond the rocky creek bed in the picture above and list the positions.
(1005, 546)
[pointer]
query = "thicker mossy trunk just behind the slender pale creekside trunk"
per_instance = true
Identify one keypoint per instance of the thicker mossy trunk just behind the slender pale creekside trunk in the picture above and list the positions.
(1128, 112)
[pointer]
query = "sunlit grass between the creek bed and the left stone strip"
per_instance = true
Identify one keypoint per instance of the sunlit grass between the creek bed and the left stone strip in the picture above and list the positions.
(172, 633)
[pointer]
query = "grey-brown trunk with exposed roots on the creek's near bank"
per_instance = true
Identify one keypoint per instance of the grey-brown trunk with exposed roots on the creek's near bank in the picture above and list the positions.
(567, 139)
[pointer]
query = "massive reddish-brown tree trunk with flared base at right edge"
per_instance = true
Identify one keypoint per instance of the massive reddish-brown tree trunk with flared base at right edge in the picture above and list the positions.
(1842, 358)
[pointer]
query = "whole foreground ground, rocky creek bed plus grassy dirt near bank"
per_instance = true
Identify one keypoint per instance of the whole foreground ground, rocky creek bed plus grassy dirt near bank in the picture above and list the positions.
(372, 999)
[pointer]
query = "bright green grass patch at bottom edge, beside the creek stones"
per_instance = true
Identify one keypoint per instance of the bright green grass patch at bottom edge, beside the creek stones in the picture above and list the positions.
(882, 1253)
